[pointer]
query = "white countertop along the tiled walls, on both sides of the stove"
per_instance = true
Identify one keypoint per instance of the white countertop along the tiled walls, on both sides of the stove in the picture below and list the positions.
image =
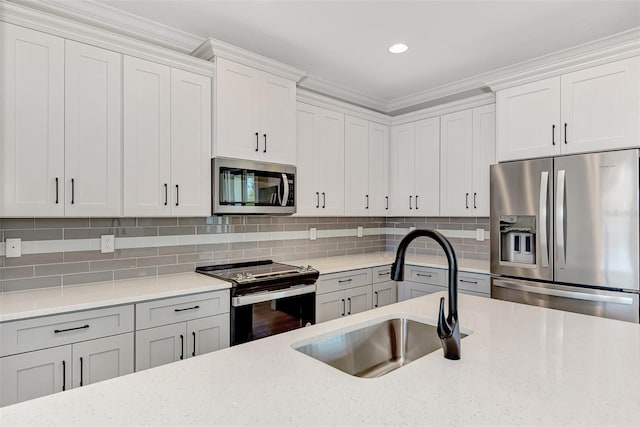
(48, 301)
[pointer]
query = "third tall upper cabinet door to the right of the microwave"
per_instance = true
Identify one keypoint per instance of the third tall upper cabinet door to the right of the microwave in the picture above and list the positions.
(357, 199)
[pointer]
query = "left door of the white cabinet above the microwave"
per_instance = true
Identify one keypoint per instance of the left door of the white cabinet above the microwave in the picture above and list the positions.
(237, 111)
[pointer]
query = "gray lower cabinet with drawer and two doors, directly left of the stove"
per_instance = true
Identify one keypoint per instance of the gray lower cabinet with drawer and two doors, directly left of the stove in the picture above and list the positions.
(173, 329)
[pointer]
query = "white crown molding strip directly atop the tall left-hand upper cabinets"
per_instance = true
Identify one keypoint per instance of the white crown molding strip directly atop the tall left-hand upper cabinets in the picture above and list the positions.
(25, 16)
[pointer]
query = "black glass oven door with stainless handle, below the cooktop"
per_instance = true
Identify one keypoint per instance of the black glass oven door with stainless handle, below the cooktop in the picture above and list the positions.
(263, 314)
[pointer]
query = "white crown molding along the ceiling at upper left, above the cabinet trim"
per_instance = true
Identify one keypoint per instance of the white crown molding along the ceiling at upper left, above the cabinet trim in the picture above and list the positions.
(118, 21)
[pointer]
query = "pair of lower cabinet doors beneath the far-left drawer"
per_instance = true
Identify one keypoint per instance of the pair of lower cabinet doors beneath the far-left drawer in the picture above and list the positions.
(39, 373)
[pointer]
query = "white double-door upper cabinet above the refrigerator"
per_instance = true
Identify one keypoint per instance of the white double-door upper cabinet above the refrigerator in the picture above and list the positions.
(588, 110)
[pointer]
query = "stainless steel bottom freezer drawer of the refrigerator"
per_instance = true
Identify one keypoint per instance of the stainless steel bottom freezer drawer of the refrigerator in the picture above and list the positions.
(613, 305)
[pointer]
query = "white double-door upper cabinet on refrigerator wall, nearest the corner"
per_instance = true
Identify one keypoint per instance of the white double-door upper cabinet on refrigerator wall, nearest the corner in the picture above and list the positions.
(414, 168)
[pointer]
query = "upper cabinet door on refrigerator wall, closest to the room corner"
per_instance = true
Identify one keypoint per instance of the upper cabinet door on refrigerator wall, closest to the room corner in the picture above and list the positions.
(402, 169)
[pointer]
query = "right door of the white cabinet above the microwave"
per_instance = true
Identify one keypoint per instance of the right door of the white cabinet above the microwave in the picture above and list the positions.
(277, 119)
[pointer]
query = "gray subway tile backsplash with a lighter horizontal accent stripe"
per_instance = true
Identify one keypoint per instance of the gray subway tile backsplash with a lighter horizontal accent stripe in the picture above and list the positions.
(65, 251)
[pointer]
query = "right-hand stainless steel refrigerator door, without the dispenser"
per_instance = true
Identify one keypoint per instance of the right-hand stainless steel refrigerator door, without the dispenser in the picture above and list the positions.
(596, 217)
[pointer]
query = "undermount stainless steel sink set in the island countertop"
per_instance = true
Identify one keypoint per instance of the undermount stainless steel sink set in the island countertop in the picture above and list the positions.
(376, 350)
